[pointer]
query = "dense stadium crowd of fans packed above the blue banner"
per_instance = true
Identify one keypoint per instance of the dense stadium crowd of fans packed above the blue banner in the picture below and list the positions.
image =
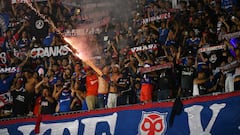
(158, 53)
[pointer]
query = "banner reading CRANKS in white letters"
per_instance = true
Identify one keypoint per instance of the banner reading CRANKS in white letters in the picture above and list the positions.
(49, 51)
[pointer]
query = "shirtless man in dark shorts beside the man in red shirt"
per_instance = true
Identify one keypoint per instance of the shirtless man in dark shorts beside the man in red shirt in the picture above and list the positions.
(103, 88)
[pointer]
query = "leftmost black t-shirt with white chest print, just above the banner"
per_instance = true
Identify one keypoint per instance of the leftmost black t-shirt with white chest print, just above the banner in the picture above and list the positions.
(20, 101)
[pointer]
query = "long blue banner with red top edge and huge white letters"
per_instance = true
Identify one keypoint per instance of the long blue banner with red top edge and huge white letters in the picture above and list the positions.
(215, 115)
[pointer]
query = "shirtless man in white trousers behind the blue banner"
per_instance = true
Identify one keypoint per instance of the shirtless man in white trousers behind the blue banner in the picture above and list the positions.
(113, 92)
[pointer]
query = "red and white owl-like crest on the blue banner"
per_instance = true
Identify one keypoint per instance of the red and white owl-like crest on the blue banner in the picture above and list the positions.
(153, 123)
